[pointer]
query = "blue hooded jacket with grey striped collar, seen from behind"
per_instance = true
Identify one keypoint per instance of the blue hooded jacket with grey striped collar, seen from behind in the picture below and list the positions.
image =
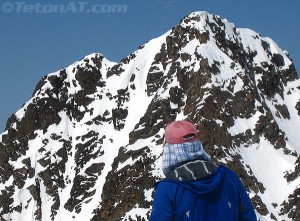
(213, 195)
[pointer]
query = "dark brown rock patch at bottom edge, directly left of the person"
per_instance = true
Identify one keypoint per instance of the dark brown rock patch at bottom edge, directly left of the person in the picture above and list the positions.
(124, 188)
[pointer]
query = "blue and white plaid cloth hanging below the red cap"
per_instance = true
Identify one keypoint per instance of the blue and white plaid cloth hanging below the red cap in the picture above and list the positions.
(176, 154)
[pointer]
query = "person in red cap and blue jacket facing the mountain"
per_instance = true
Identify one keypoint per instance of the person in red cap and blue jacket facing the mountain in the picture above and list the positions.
(195, 188)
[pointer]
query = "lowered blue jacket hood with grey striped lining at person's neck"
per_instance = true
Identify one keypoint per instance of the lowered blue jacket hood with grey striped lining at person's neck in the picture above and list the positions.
(203, 180)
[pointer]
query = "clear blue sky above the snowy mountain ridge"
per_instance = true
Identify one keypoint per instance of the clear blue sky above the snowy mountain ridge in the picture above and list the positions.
(41, 37)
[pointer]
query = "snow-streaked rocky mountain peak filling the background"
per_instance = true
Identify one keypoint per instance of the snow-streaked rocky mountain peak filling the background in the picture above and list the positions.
(88, 144)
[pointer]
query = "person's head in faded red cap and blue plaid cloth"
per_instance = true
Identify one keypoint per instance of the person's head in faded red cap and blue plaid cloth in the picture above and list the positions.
(182, 144)
